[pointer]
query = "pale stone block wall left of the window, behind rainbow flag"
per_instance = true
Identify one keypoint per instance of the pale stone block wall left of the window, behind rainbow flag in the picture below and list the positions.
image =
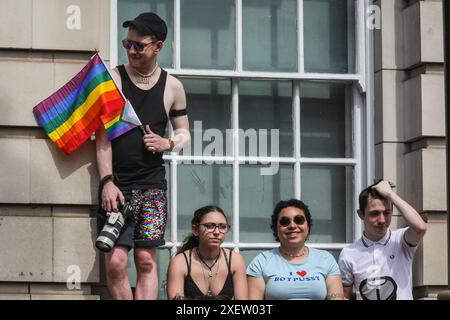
(47, 224)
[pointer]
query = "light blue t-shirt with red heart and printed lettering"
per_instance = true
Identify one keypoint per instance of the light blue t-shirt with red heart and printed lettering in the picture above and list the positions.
(289, 281)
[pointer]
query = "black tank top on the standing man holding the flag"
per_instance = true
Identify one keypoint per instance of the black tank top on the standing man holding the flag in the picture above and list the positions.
(133, 165)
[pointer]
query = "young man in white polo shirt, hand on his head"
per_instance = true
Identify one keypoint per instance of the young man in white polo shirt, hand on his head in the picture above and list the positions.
(378, 265)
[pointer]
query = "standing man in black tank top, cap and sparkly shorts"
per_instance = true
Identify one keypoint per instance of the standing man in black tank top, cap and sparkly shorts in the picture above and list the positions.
(131, 166)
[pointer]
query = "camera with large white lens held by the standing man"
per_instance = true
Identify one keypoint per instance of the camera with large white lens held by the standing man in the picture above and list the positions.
(111, 230)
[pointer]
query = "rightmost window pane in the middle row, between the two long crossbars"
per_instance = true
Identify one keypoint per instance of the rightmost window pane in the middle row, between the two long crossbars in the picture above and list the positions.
(325, 120)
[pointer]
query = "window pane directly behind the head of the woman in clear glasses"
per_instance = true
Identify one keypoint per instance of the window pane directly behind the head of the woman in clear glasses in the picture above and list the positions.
(201, 185)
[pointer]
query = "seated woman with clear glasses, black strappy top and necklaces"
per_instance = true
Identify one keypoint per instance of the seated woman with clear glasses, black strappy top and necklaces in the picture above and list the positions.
(202, 269)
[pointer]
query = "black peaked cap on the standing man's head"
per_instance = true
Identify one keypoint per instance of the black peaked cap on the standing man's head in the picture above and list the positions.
(148, 23)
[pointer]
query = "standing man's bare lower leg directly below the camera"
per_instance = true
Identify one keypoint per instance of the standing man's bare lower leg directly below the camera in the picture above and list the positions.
(117, 273)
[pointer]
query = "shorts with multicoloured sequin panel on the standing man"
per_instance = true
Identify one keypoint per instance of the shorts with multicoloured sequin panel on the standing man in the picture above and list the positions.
(147, 224)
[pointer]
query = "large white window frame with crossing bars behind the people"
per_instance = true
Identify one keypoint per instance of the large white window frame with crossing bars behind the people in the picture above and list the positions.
(362, 117)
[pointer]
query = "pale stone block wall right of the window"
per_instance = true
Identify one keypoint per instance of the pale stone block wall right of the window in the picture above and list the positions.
(410, 124)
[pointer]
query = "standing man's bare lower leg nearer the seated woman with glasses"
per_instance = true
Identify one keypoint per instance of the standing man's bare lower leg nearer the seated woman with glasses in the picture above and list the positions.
(147, 275)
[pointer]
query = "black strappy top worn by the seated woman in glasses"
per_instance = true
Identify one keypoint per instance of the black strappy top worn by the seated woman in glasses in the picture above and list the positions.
(191, 290)
